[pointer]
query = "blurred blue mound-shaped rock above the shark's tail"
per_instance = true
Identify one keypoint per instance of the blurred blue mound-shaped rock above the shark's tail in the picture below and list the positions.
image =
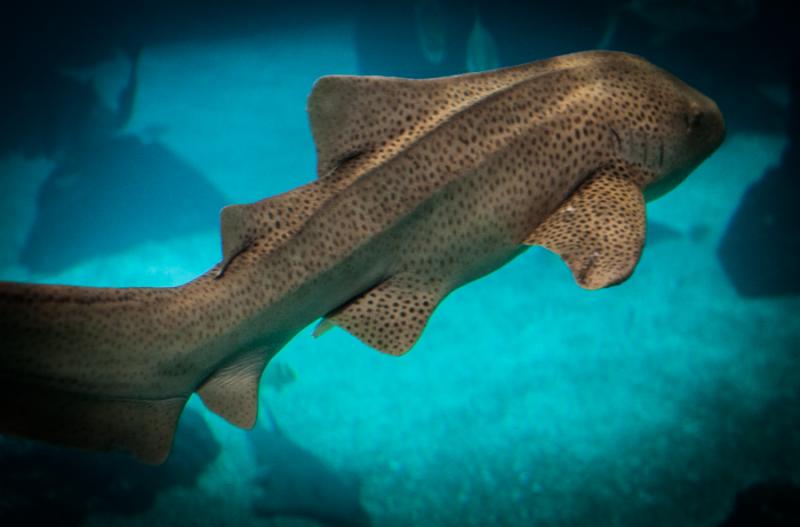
(141, 191)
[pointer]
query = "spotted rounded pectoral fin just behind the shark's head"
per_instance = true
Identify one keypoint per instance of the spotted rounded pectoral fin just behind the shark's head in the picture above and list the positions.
(599, 231)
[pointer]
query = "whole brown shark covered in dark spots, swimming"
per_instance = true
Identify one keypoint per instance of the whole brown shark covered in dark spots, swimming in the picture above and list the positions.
(423, 186)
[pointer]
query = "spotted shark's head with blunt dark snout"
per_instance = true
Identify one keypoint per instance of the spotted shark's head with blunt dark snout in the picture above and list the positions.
(663, 125)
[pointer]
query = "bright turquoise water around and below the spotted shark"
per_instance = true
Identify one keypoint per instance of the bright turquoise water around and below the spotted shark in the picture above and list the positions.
(528, 401)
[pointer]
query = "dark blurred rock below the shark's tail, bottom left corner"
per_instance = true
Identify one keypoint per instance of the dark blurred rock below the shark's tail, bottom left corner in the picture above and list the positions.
(45, 485)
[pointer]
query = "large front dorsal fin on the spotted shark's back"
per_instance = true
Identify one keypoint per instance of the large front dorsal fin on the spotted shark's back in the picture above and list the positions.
(356, 115)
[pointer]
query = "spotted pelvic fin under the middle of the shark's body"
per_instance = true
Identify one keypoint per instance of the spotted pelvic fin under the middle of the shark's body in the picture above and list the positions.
(389, 317)
